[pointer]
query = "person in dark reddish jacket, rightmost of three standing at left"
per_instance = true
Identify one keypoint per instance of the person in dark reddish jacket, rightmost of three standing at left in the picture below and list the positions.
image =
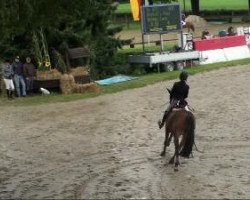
(29, 73)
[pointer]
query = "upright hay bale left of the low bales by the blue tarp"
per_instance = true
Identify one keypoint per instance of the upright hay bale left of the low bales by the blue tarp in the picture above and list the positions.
(67, 84)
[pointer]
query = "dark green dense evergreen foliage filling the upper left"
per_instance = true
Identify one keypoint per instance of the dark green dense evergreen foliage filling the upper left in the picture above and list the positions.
(65, 24)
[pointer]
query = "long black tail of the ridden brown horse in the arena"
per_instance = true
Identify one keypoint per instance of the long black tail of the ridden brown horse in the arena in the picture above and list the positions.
(190, 127)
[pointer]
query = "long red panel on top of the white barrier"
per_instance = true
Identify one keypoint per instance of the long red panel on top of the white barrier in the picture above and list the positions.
(219, 43)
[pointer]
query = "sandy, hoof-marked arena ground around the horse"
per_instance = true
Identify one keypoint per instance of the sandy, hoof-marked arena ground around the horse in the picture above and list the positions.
(109, 146)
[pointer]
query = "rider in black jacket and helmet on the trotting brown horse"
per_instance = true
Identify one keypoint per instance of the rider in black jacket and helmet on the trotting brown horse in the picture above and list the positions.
(178, 94)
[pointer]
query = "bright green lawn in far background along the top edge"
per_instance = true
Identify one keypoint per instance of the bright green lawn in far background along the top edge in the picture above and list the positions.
(204, 5)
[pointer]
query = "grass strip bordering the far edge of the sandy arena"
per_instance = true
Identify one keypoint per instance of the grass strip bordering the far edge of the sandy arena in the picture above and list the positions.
(142, 81)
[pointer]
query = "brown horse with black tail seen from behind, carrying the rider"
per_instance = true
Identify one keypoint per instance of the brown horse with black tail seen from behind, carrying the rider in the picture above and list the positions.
(180, 124)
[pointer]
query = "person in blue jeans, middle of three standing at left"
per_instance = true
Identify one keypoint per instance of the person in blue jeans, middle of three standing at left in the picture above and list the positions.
(17, 66)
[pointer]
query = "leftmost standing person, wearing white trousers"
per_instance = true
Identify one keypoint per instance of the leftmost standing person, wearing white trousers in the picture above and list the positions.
(8, 74)
